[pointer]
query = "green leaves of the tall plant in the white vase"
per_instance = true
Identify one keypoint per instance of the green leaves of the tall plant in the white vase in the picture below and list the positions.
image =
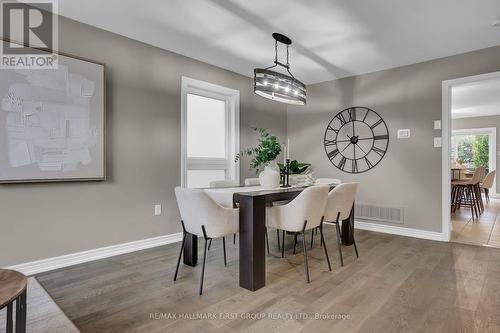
(268, 149)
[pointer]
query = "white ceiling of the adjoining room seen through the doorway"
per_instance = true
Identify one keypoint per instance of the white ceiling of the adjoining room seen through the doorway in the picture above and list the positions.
(476, 99)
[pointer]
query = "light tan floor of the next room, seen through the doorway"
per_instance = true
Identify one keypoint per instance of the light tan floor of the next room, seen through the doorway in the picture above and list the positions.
(483, 231)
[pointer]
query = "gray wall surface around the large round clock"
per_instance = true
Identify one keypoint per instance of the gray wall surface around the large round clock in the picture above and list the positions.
(409, 176)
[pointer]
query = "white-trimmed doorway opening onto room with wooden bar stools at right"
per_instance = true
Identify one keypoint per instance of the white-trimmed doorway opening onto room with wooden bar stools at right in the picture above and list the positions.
(470, 120)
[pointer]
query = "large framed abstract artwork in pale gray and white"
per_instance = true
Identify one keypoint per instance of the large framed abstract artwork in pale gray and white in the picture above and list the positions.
(52, 122)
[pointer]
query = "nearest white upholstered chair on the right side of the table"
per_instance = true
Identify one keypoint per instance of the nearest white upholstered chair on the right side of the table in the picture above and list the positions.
(305, 212)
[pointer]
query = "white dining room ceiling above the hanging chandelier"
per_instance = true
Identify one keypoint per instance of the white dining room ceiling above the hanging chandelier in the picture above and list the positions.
(331, 38)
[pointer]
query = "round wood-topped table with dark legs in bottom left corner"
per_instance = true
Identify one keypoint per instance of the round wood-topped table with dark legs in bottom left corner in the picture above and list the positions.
(13, 287)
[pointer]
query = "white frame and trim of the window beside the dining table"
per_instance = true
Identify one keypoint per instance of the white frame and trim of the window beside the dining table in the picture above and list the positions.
(231, 97)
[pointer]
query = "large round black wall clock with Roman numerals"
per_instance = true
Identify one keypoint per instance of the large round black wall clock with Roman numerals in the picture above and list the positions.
(356, 139)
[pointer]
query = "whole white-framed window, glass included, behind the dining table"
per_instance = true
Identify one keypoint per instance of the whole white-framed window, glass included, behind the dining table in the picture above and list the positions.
(210, 133)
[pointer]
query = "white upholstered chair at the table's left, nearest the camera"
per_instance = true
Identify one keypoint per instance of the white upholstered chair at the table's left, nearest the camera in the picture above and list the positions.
(203, 217)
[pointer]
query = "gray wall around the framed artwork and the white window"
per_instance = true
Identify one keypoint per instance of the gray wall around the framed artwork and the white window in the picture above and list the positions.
(143, 153)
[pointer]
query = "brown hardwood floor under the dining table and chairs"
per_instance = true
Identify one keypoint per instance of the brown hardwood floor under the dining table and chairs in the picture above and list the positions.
(398, 284)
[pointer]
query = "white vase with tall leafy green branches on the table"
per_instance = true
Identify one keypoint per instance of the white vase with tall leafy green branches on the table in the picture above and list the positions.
(264, 156)
